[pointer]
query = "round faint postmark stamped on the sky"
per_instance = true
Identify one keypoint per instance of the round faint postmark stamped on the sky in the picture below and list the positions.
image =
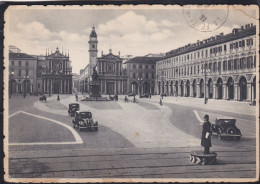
(204, 19)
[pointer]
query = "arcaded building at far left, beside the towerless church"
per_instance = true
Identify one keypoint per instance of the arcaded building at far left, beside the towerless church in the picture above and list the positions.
(22, 73)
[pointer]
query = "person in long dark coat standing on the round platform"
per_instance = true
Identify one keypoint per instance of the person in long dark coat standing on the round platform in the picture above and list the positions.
(205, 135)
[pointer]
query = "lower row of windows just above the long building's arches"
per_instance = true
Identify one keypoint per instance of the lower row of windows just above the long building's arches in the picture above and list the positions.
(227, 65)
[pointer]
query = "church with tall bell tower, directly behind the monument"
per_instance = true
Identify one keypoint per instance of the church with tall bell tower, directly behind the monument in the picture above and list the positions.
(112, 76)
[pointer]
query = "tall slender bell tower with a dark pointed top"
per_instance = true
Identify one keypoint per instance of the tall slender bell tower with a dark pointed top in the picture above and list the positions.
(92, 50)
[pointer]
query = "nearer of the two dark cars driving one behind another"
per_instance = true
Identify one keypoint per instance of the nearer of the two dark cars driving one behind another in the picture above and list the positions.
(83, 120)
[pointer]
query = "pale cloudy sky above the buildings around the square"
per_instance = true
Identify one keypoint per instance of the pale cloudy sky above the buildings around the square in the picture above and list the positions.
(132, 30)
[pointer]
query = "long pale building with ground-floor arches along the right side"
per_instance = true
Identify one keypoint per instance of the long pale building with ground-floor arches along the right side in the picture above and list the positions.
(225, 64)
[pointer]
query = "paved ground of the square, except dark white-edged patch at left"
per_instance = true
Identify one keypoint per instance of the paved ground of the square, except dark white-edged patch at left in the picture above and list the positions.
(137, 140)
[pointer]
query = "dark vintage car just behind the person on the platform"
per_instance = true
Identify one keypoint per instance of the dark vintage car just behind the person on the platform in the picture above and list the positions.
(226, 128)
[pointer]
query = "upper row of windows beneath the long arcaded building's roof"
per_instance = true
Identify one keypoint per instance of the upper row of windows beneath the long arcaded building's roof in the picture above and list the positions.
(202, 54)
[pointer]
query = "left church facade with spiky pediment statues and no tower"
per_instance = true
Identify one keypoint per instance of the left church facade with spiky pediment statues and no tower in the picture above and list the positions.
(56, 74)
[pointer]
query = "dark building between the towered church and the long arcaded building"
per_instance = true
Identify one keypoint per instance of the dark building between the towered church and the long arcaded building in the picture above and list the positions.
(141, 72)
